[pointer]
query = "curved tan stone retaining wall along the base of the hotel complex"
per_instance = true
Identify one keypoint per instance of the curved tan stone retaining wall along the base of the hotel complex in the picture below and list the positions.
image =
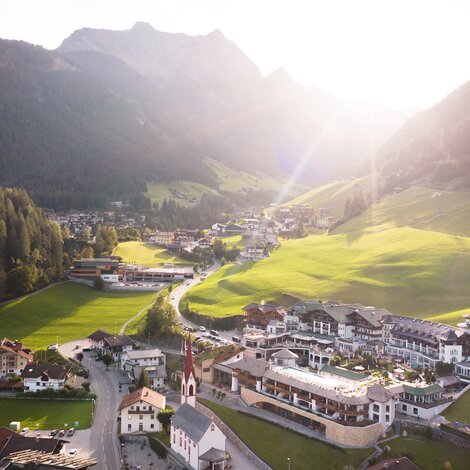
(351, 436)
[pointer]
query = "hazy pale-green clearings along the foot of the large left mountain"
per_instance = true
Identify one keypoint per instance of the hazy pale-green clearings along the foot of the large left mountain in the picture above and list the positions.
(228, 179)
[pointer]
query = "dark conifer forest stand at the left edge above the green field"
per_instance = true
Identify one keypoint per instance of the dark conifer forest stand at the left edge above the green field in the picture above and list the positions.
(31, 247)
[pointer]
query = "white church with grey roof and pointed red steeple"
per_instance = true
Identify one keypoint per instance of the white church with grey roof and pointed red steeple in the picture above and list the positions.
(194, 436)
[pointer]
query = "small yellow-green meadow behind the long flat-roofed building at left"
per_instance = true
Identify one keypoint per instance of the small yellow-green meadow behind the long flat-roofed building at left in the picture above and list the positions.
(147, 254)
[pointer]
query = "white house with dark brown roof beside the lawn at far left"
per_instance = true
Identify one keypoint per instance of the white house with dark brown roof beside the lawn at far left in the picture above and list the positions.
(38, 377)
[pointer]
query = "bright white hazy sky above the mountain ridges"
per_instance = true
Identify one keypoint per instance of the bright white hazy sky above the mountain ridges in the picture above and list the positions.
(401, 53)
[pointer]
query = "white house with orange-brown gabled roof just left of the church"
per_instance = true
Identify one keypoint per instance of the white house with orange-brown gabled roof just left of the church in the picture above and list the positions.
(138, 411)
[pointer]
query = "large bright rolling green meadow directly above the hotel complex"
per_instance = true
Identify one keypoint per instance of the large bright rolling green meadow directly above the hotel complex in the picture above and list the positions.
(405, 270)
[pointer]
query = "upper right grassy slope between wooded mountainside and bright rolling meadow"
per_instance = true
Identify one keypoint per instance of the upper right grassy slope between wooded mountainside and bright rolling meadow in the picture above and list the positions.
(416, 208)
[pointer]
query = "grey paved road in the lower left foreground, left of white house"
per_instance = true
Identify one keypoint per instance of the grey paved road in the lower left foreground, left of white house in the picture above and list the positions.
(100, 440)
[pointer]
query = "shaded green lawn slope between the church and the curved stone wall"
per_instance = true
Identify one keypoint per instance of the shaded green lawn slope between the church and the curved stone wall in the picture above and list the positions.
(275, 444)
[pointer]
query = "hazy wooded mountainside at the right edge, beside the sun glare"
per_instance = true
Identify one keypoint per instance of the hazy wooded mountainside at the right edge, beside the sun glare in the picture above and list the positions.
(433, 147)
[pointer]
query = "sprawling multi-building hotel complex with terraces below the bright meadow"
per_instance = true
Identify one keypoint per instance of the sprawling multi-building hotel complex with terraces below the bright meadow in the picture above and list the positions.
(283, 365)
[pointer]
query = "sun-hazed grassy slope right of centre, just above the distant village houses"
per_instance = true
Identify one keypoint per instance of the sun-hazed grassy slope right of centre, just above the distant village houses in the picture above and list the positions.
(334, 195)
